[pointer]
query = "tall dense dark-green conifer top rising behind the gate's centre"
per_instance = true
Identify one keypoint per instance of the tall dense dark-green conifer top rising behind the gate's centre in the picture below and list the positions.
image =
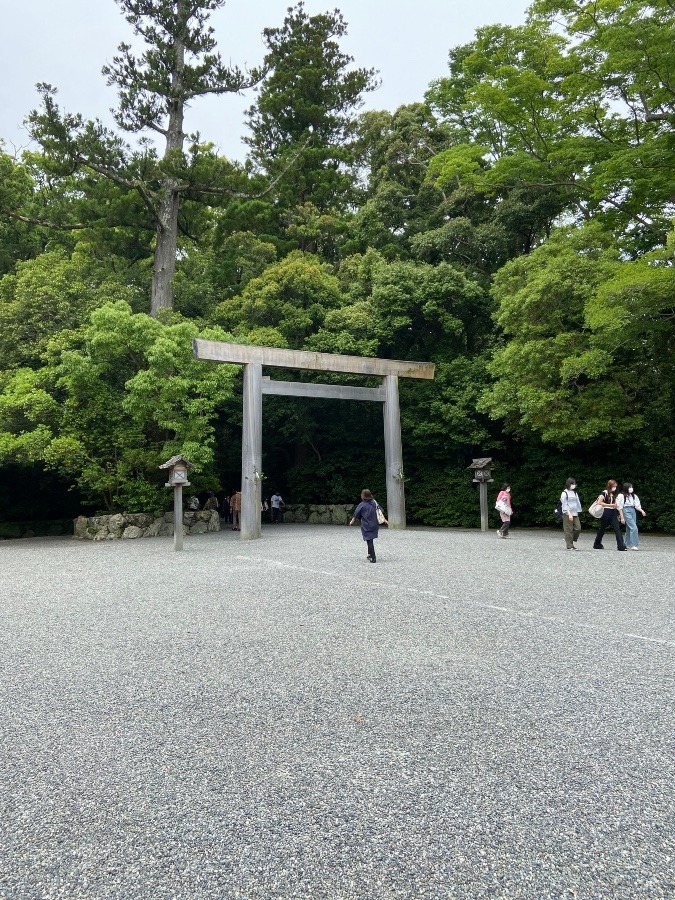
(305, 109)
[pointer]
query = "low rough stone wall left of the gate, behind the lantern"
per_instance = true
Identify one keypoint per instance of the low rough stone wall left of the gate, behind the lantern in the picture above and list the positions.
(135, 525)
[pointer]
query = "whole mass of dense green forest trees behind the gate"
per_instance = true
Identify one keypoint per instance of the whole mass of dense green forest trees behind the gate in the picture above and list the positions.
(514, 226)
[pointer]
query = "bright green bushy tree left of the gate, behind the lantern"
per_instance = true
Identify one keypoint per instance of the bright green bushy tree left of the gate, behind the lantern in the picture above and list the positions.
(116, 398)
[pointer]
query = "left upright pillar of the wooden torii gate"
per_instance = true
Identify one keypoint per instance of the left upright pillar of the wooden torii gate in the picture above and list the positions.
(251, 453)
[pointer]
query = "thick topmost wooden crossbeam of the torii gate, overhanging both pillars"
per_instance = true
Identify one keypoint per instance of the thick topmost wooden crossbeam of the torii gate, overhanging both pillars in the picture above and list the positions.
(219, 351)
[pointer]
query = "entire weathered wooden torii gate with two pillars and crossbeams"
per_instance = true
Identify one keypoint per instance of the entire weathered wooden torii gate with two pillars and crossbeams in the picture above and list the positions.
(254, 358)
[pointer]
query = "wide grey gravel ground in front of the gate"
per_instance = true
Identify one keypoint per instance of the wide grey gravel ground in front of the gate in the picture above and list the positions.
(468, 718)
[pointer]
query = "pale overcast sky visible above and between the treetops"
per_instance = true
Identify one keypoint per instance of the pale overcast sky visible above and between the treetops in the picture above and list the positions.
(65, 43)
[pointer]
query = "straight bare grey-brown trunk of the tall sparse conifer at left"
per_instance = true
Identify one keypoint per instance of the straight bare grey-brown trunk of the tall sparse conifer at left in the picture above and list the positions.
(164, 265)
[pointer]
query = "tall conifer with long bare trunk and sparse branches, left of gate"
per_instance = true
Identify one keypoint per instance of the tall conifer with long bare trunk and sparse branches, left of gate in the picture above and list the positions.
(155, 89)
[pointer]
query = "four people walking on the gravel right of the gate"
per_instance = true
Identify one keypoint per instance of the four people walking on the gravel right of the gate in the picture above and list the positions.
(614, 508)
